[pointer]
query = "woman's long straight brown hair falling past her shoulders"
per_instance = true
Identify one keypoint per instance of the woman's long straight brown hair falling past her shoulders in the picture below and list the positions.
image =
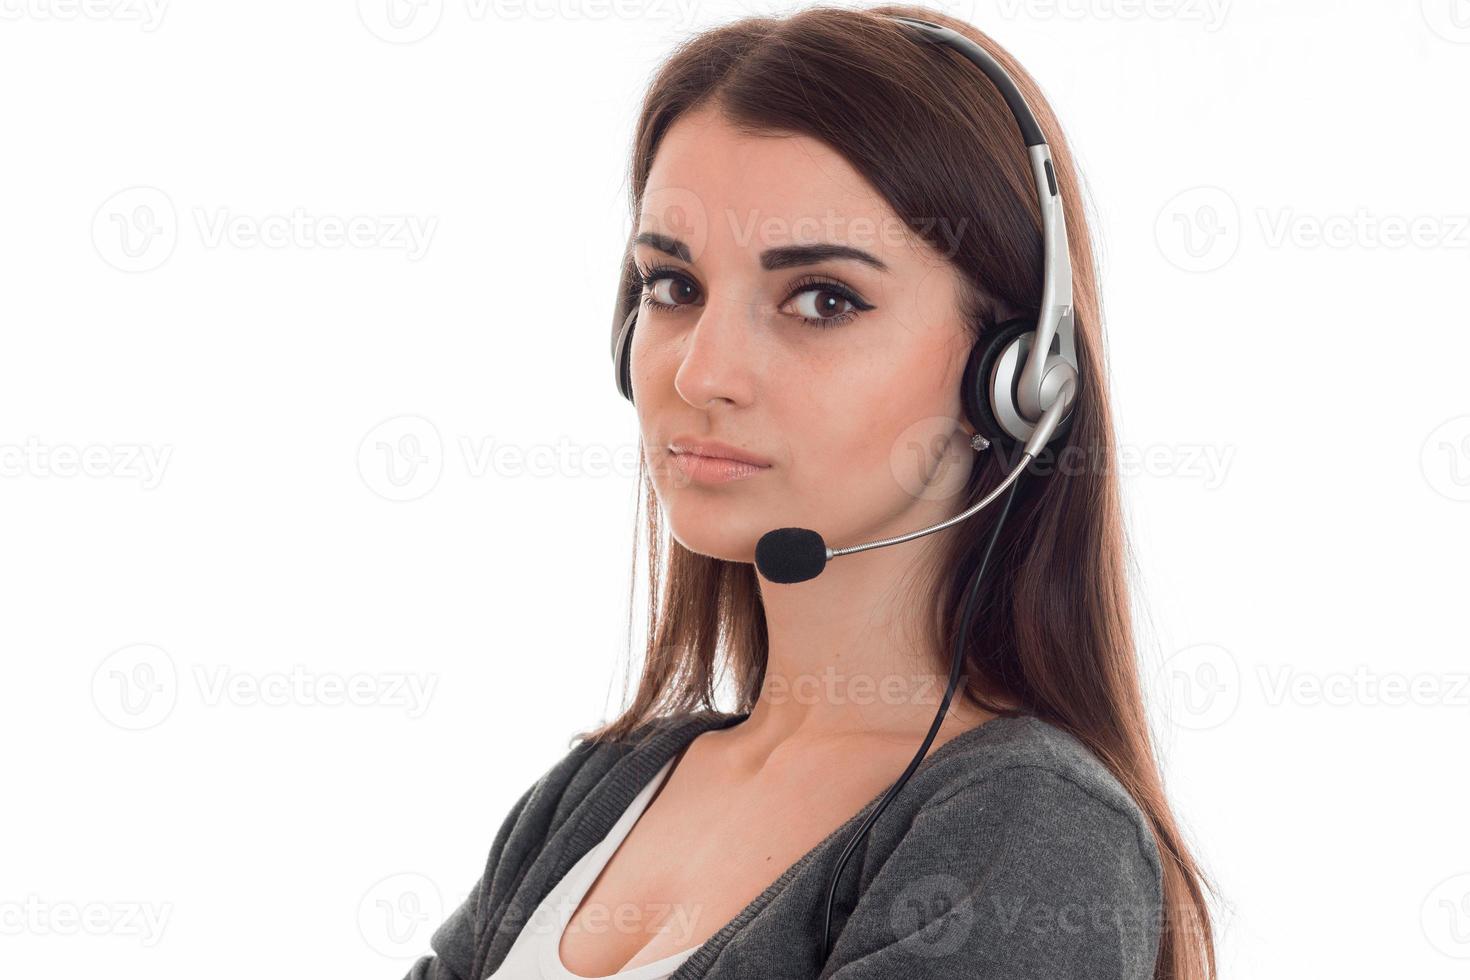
(1053, 634)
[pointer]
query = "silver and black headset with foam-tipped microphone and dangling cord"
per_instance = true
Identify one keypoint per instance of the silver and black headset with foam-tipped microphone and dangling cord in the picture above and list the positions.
(1019, 386)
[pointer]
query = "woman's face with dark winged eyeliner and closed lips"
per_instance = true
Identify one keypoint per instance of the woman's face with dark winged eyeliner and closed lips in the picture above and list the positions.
(800, 323)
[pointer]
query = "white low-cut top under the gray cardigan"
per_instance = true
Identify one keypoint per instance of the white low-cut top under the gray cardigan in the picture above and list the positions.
(536, 954)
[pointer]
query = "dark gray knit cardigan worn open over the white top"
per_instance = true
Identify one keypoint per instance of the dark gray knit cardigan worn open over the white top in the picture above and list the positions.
(1011, 854)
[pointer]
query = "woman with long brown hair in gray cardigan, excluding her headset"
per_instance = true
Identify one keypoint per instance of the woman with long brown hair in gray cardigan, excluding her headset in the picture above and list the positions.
(831, 217)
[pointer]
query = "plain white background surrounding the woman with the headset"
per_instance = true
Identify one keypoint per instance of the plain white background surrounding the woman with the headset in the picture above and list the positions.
(202, 531)
